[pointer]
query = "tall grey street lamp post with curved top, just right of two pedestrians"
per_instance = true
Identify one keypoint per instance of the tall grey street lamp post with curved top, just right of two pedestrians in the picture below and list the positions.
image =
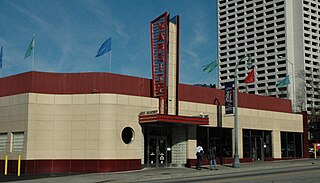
(236, 162)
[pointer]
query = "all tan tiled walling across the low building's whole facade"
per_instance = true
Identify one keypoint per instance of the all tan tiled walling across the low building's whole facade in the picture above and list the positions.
(89, 126)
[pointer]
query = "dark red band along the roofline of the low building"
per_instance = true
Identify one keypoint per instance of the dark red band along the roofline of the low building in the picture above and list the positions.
(87, 83)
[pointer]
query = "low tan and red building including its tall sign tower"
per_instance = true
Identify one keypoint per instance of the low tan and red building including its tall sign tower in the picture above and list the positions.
(104, 122)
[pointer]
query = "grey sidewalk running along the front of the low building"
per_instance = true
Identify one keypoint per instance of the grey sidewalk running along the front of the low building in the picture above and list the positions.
(158, 174)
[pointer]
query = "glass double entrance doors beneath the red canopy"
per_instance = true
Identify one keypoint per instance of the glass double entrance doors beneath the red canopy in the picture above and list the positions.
(157, 151)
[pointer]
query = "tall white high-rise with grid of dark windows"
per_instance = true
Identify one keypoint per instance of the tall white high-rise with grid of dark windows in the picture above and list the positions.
(283, 39)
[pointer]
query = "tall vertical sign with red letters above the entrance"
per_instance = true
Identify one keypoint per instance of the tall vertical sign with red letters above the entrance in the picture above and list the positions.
(159, 48)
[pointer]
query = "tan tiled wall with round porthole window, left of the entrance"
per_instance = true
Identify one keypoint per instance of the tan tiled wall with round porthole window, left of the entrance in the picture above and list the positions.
(78, 126)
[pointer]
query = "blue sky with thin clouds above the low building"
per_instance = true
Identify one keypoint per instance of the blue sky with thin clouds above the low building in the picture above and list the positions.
(69, 33)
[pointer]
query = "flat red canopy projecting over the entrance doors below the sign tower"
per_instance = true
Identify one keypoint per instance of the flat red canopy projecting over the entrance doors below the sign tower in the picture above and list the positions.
(160, 118)
